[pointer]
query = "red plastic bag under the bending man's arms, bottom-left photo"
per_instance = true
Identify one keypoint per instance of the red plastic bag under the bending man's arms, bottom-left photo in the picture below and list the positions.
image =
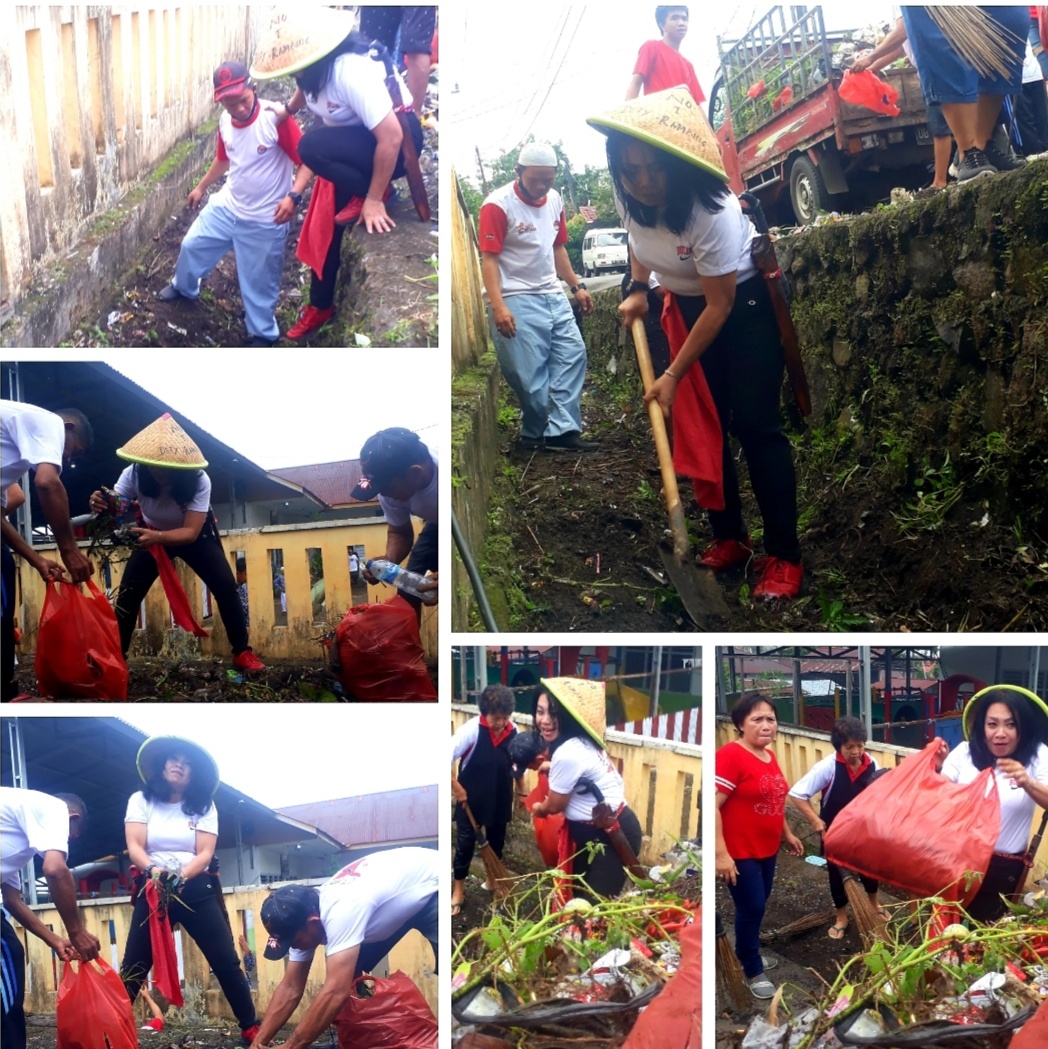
(394, 1016)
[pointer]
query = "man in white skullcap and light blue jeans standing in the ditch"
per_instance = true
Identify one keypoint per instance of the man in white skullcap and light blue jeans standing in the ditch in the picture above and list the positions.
(541, 351)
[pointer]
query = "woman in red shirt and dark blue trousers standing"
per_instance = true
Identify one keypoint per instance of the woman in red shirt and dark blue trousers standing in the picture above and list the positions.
(751, 824)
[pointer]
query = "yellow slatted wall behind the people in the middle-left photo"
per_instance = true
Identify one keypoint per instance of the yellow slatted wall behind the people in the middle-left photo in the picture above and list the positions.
(293, 641)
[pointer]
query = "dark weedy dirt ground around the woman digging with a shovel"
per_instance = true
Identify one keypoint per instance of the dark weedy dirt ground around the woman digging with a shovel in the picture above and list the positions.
(583, 532)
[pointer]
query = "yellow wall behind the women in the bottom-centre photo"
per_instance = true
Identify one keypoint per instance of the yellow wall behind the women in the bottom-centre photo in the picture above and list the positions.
(662, 782)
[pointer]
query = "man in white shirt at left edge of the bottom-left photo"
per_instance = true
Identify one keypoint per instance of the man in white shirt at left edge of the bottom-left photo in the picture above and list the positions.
(34, 824)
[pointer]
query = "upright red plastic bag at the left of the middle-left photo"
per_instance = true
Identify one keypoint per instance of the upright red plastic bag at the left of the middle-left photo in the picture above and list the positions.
(78, 647)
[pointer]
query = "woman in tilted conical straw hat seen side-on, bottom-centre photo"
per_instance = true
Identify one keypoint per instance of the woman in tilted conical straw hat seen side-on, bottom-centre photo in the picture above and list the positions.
(570, 716)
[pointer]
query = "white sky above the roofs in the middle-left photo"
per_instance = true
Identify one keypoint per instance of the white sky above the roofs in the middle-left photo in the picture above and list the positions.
(293, 409)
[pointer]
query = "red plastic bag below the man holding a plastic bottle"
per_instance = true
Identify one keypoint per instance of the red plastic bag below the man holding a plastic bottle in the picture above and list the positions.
(378, 653)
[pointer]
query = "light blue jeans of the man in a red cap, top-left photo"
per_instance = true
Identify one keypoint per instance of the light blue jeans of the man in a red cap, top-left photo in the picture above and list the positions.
(260, 251)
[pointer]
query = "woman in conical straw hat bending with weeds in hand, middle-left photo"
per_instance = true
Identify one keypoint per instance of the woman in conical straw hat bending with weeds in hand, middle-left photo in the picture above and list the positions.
(167, 480)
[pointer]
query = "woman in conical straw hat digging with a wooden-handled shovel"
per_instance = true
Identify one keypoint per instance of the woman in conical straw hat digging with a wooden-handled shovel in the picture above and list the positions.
(688, 229)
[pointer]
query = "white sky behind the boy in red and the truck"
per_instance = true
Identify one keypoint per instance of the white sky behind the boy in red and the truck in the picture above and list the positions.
(569, 62)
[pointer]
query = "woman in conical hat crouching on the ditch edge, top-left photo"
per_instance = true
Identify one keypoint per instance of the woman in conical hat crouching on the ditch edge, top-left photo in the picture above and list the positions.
(357, 148)
